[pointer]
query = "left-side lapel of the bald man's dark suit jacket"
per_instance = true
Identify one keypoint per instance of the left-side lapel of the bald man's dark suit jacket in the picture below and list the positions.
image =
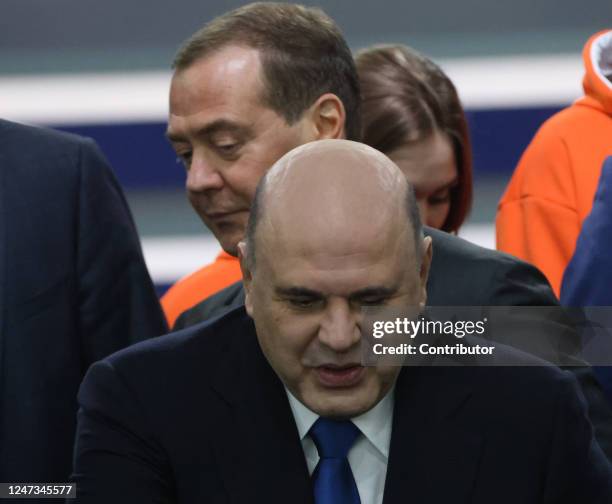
(264, 460)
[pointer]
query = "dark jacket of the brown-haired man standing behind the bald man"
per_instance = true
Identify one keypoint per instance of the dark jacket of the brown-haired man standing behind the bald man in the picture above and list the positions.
(464, 274)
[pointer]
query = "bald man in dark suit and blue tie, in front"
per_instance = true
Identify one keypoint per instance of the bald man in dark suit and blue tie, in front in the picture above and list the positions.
(272, 404)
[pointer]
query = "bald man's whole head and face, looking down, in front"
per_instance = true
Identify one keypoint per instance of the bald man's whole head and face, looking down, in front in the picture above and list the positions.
(332, 236)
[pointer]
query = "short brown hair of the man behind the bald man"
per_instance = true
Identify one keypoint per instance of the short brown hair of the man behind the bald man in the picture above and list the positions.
(303, 56)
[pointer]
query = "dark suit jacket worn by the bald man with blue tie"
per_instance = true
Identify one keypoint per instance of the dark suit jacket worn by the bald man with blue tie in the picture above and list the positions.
(200, 417)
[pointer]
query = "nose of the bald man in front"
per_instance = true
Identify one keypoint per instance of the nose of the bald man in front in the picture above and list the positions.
(339, 329)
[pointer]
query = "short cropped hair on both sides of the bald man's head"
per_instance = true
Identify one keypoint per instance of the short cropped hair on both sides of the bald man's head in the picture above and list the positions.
(410, 204)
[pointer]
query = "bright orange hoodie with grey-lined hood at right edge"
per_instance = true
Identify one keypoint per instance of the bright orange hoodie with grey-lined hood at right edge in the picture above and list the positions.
(551, 191)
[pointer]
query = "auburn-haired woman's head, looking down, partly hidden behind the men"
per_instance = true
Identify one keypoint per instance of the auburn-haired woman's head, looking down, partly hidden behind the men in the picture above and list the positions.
(412, 113)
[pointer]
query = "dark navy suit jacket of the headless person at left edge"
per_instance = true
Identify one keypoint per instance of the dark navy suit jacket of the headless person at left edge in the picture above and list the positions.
(73, 289)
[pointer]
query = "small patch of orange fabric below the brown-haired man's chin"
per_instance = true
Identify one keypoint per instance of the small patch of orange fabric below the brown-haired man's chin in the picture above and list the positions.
(199, 285)
